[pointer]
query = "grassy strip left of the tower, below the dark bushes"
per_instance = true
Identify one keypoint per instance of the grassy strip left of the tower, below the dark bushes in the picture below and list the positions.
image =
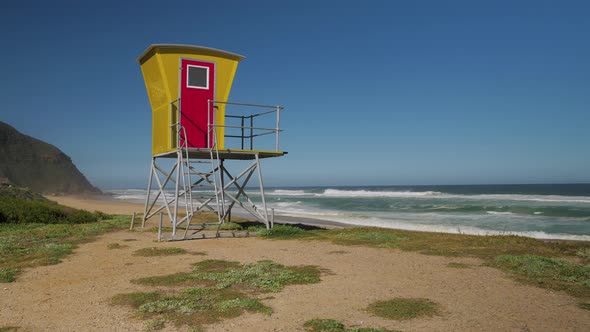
(26, 245)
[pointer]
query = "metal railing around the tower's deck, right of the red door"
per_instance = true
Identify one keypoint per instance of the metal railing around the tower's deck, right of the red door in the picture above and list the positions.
(245, 130)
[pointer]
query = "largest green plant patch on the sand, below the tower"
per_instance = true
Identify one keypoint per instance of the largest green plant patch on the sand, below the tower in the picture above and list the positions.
(217, 289)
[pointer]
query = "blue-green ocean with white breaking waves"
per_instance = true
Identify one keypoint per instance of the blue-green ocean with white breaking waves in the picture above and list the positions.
(556, 211)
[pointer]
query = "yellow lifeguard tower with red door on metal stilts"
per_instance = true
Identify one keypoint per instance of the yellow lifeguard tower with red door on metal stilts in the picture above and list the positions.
(188, 89)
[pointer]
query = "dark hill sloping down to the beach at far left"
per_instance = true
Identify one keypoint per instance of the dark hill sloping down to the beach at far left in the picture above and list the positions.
(28, 162)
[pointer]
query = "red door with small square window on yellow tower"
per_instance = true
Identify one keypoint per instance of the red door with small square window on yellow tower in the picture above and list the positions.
(197, 80)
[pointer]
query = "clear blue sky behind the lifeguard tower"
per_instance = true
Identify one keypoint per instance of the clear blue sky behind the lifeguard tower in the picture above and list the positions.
(376, 92)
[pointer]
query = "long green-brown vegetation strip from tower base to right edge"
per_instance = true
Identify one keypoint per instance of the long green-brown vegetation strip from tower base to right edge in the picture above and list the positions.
(565, 262)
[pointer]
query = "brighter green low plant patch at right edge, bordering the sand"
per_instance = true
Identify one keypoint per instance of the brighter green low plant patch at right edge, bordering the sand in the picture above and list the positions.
(555, 273)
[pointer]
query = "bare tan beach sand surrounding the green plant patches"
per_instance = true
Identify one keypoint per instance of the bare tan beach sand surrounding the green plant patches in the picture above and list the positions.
(75, 295)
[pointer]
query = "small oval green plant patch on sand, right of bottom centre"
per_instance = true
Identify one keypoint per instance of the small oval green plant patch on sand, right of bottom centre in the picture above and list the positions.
(402, 309)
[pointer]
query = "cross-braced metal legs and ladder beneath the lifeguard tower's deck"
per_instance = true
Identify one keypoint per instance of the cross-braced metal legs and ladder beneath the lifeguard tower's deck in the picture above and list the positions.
(225, 194)
